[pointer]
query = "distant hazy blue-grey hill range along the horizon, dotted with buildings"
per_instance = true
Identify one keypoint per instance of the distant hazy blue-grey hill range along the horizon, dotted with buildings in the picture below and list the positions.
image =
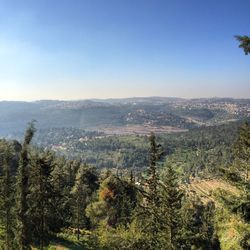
(96, 114)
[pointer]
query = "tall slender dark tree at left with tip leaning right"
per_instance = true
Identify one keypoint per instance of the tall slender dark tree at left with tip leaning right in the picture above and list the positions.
(22, 191)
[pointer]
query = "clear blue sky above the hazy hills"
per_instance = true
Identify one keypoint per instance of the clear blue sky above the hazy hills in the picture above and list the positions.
(76, 49)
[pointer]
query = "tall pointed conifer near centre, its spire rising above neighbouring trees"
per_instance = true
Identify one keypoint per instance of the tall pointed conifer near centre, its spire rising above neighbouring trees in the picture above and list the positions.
(152, 212)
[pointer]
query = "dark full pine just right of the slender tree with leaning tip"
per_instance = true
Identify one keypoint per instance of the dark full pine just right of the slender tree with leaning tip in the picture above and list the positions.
(41, 195)
